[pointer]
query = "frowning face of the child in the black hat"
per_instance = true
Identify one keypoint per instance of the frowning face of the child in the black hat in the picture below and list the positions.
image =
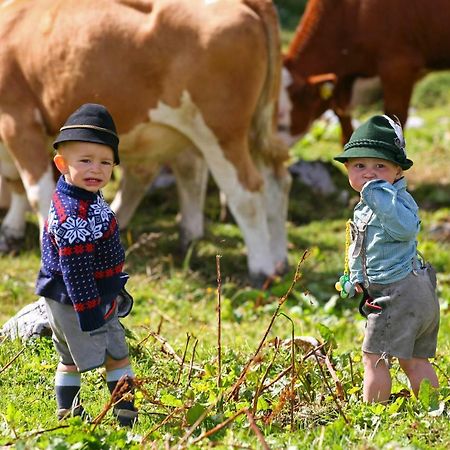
(85, 164)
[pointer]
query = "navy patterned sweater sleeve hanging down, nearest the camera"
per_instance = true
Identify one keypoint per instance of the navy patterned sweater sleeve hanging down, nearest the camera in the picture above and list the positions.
(76, 252)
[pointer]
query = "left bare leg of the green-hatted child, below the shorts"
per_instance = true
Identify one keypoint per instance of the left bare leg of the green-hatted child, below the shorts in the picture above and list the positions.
(377, 379)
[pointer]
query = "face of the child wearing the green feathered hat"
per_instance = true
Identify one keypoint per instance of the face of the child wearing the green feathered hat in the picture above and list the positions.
(362, 170)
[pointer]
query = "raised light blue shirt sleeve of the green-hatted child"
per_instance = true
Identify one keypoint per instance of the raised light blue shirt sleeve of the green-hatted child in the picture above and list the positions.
(398, 217)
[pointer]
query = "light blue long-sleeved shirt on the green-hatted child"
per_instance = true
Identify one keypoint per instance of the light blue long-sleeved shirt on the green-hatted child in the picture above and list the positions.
(390, 245)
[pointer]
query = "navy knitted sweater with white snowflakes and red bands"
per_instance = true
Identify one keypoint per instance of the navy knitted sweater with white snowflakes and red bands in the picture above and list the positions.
(82, 256)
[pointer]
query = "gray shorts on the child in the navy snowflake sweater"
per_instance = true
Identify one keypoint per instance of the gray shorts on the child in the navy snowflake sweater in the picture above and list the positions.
(84, 349)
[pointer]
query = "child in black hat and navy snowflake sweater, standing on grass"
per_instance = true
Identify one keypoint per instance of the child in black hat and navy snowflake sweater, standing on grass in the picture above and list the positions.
(81, 275)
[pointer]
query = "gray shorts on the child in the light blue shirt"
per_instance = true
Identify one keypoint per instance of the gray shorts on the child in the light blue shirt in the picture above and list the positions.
(404, 319)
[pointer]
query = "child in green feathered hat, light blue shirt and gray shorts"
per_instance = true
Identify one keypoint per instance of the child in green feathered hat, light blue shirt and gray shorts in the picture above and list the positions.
(400, 300)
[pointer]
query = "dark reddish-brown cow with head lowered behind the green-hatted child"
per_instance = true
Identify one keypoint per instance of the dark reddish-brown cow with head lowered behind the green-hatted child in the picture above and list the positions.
(339, 41)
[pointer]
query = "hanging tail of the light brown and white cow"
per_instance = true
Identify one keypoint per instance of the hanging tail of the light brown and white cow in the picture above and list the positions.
(263, 139)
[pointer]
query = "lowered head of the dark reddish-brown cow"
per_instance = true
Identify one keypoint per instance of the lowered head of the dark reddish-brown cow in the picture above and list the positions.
(302, 100)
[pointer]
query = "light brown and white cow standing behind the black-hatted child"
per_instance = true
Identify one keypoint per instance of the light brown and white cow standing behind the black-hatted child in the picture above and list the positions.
(191, 83)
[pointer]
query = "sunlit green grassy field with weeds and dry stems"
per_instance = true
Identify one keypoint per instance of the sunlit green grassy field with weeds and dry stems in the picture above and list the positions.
(263, 391)
